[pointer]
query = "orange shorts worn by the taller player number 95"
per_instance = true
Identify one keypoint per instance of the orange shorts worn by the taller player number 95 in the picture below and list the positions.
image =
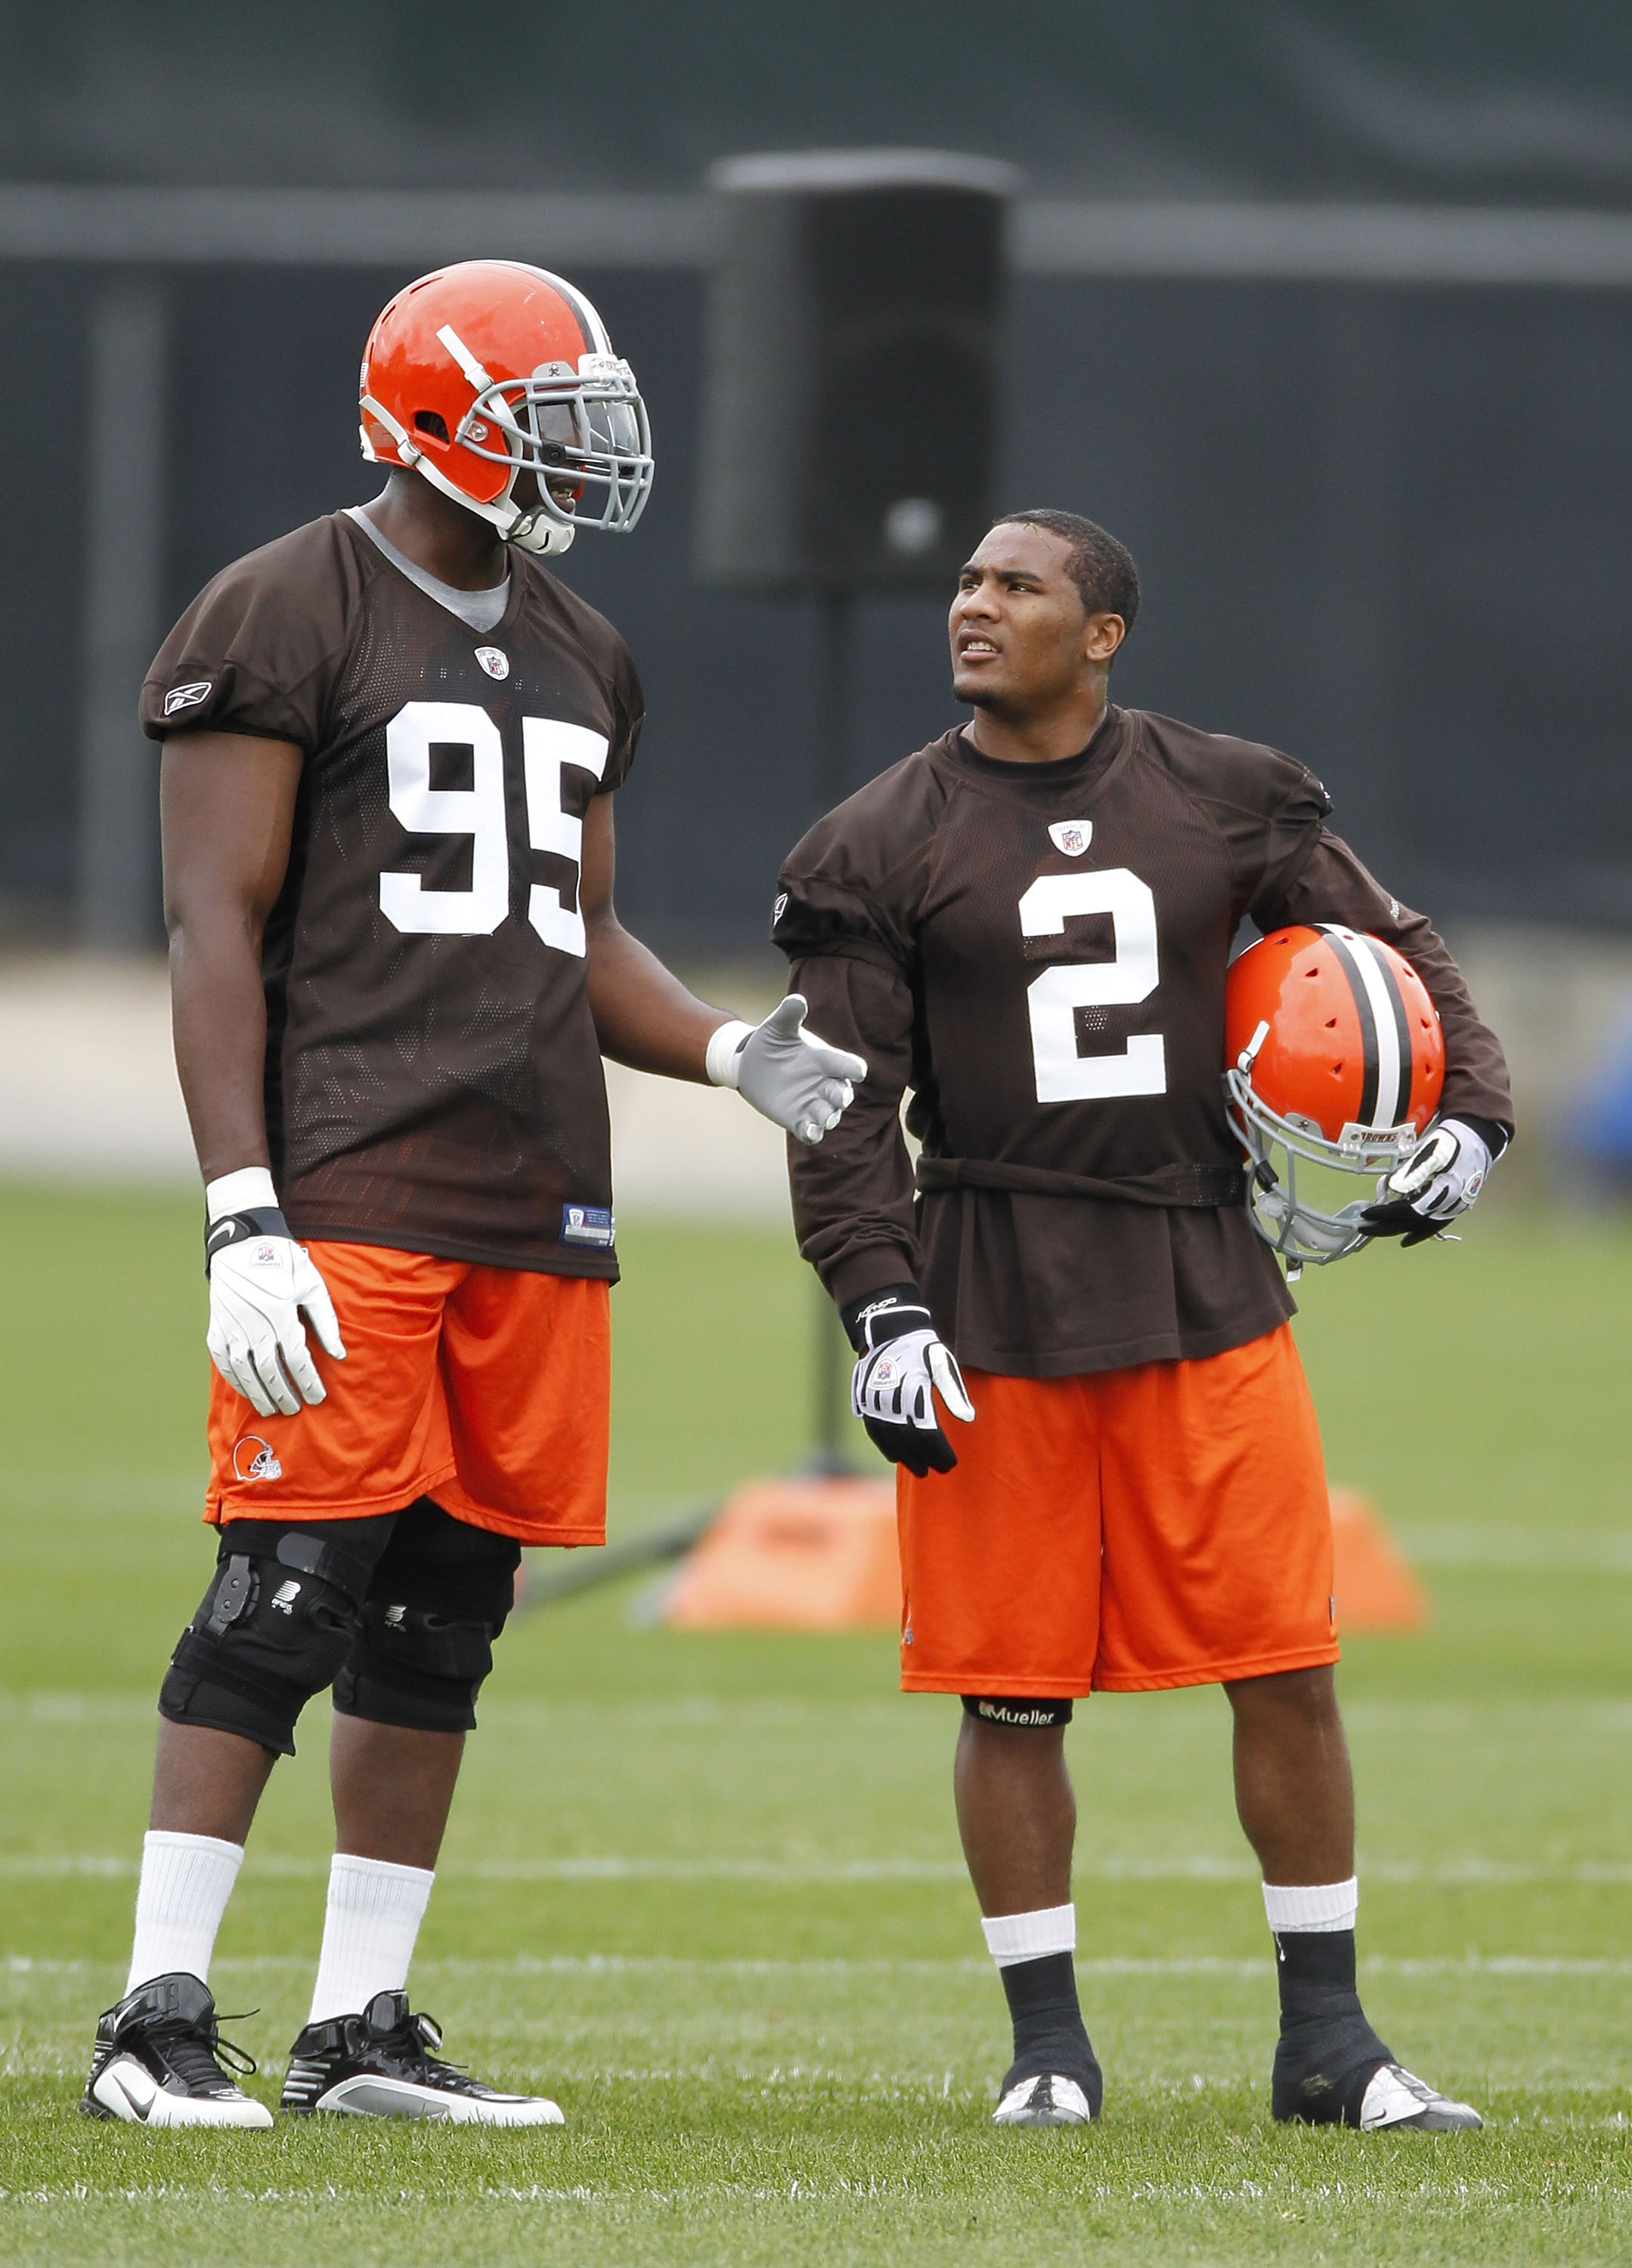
(486, 1389)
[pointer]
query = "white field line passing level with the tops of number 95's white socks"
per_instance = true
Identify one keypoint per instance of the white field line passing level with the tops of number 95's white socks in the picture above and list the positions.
(1447, 1875)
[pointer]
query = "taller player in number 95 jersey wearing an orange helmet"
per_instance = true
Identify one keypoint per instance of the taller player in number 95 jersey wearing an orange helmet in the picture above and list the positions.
(389, 759)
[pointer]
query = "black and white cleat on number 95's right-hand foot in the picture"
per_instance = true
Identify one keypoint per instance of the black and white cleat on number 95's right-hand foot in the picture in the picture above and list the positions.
(382, 2065)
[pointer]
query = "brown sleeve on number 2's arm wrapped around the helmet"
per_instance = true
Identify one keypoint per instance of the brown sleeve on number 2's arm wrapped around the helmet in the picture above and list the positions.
(1334, 886)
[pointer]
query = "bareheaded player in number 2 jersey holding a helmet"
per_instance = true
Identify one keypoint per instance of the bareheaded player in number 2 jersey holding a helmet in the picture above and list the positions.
(1069, 1337)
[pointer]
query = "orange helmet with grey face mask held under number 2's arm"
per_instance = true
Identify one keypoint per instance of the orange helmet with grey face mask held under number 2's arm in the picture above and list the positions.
(1334, 1056)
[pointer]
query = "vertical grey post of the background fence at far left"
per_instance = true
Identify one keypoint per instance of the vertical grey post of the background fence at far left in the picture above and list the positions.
(119, 870)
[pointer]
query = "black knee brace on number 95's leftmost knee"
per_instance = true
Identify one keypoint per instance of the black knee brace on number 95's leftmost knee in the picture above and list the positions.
(273, 1632)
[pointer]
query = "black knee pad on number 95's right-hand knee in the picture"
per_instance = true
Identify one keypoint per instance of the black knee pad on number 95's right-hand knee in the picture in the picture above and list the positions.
(423, 1648)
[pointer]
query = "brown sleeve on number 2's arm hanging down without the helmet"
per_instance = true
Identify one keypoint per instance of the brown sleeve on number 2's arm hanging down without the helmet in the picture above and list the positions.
(853, 1194)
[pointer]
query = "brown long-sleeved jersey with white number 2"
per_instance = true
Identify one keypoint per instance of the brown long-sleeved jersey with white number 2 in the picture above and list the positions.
(1039, 954)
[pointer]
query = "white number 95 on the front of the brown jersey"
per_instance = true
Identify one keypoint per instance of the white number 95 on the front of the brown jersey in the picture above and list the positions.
(479, 811)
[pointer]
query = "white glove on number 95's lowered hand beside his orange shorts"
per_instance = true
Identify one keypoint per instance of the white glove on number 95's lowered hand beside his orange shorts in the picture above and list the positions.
(260, 1285)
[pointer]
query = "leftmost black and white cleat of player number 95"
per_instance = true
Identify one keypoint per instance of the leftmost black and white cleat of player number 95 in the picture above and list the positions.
(160, 2056)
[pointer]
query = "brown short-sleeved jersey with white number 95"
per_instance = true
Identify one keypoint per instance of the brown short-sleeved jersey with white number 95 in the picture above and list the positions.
(432, 1074)
